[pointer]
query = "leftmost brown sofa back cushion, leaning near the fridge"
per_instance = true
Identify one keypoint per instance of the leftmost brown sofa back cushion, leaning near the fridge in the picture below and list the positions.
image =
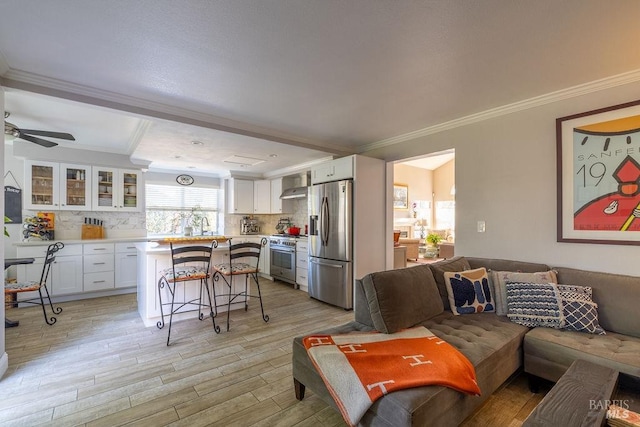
(399, 299)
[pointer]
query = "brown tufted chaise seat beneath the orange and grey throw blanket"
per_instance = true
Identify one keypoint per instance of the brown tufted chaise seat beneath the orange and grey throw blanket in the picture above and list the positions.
(493, 344)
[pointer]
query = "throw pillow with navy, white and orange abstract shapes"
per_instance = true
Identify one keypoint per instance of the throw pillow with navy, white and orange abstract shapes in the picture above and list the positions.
(469, 291)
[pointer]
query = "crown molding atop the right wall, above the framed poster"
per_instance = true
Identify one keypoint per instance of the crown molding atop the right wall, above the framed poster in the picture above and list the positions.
(572, 92)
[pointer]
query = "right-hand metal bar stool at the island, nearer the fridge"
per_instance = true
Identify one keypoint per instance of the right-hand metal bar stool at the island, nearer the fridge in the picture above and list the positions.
(244, 259)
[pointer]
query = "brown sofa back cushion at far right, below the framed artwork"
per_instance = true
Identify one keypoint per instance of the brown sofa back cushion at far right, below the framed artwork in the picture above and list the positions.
(617, 297)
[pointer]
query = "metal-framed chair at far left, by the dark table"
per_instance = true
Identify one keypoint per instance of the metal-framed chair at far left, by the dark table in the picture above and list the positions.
(40, 286)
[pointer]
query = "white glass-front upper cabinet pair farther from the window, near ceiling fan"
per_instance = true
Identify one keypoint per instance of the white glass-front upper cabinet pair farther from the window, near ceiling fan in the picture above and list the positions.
(55, 186)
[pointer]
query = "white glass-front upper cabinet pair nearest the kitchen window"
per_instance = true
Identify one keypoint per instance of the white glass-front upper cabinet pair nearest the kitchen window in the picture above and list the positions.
(116, 189)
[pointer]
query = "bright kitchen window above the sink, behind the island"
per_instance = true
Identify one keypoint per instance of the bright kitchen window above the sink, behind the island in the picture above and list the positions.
(171, 208)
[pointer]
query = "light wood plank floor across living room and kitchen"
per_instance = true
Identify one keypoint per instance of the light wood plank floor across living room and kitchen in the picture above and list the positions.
(99, 366)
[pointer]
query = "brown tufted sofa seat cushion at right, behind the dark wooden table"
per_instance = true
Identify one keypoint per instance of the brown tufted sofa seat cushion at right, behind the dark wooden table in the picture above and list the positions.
(550, 352)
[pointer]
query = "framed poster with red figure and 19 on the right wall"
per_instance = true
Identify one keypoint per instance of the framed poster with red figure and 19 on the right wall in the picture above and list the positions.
(598, 163)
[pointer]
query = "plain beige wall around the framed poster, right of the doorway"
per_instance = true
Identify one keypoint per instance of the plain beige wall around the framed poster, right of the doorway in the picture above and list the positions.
(506, 175)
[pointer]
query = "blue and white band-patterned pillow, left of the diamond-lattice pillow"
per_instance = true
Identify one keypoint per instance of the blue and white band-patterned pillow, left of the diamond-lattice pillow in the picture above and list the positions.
(534, 304)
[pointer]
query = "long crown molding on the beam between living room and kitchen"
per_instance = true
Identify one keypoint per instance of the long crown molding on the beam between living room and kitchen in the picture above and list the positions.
(66, 90)
